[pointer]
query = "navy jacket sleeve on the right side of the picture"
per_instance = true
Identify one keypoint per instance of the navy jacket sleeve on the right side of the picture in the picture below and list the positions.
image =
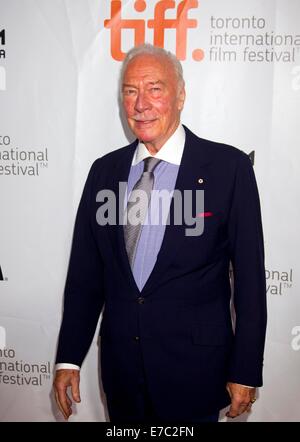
(247, 256)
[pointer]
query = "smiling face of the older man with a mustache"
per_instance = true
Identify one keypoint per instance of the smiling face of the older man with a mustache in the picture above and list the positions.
(152, 99)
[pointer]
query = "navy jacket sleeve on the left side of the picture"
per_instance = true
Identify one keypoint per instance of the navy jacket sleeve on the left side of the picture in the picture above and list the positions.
(84, 293)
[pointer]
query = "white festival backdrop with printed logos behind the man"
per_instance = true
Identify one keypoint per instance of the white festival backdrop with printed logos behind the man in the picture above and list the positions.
(59, 66)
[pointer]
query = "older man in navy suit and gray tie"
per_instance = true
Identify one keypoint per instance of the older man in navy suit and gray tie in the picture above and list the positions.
(169, 351)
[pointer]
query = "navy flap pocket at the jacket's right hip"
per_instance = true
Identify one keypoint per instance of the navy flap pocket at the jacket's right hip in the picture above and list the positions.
(212, 334)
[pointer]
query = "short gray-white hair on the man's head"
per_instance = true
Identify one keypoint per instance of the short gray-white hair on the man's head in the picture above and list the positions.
(148, 49)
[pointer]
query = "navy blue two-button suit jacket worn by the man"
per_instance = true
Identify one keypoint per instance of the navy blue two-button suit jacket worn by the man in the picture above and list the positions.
(183, 329)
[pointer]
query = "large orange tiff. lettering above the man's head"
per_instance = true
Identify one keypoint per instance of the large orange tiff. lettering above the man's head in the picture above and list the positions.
(180, 24)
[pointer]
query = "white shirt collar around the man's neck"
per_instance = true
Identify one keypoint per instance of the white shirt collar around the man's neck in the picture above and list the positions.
(171, 151)
